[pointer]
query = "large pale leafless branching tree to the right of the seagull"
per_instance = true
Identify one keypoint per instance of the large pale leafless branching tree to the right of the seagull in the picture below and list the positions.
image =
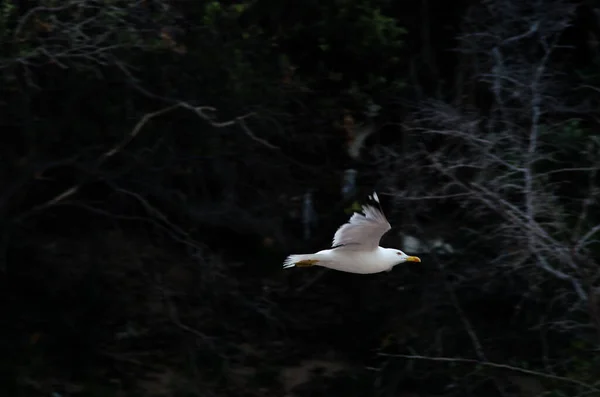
(504, 160)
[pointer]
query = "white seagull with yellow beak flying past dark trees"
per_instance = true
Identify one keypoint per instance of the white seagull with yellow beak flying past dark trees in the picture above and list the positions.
(355, 247)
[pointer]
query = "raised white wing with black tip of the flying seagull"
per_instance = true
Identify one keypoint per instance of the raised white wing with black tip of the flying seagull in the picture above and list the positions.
(362, 232)
